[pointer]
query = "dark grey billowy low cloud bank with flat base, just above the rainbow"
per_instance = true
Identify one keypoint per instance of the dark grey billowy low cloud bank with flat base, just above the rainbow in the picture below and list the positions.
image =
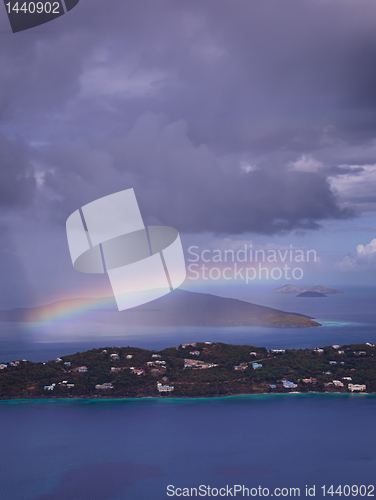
(187, 186)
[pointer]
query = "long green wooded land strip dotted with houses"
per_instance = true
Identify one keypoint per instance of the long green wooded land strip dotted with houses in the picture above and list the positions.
(194, 369)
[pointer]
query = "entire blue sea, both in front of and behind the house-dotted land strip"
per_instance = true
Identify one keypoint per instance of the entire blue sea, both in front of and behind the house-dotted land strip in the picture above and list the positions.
(135, 449)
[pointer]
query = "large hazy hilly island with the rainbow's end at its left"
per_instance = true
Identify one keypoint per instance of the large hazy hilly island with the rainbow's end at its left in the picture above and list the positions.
(175, 309)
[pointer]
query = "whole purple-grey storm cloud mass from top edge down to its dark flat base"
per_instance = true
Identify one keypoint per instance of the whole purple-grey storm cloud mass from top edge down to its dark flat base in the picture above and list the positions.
(202, 107)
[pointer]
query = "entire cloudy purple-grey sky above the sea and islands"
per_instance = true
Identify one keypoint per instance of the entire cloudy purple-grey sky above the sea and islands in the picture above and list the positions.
(238, 123)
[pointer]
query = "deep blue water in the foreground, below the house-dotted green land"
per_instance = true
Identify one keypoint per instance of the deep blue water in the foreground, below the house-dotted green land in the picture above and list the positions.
(134, 449)
